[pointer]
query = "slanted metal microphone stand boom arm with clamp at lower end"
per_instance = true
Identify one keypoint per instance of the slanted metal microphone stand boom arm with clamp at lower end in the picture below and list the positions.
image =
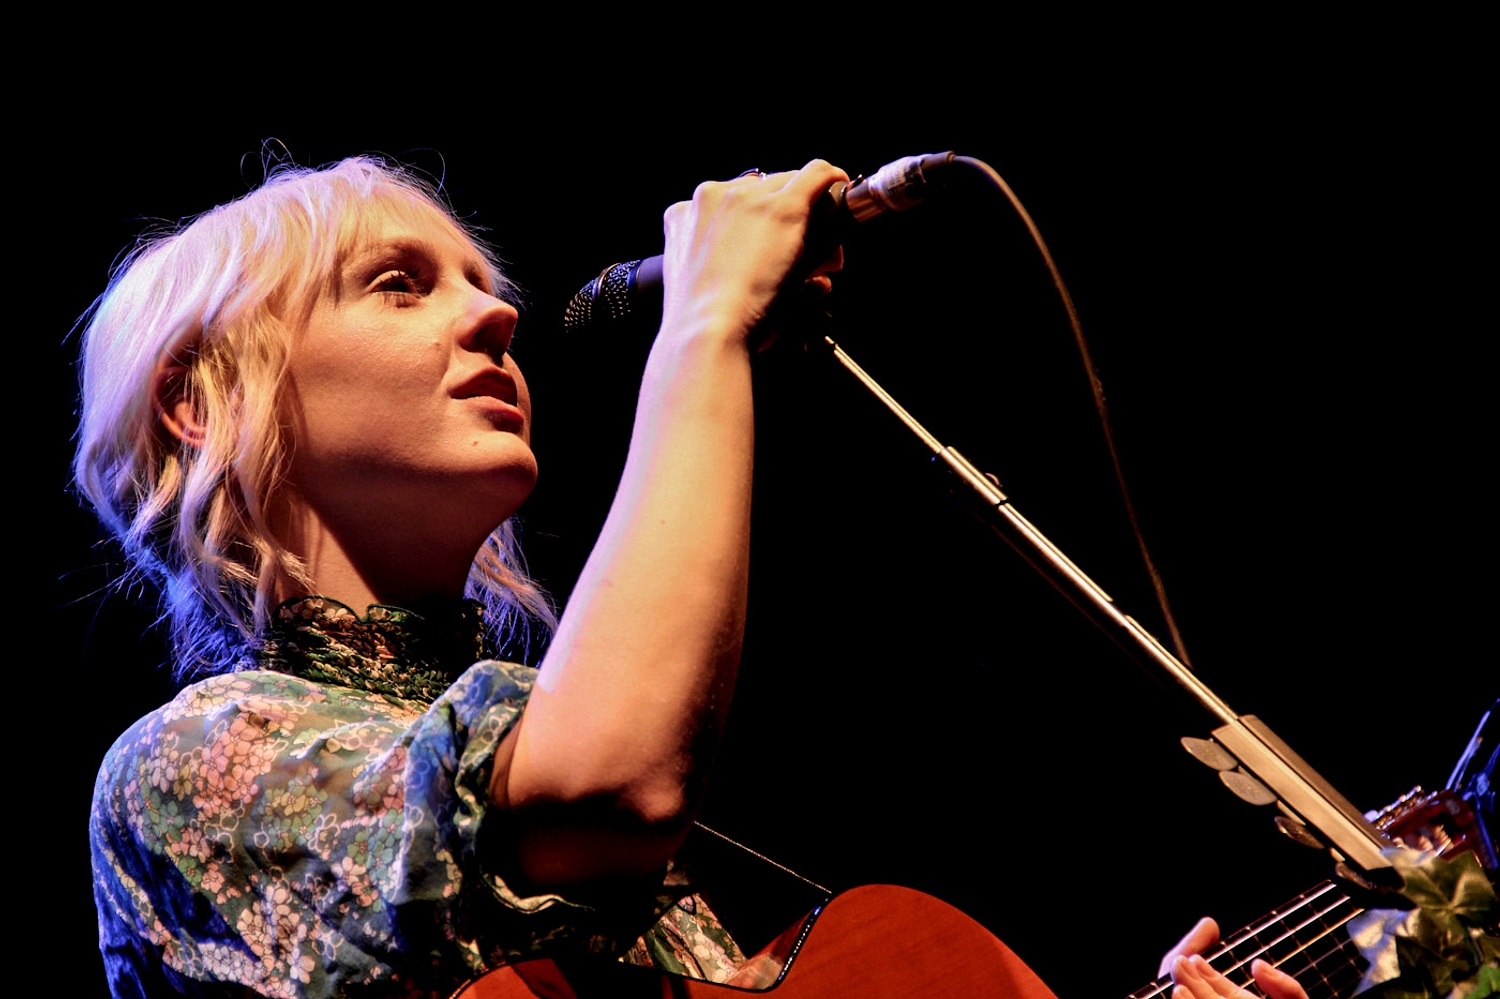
(1252, 760)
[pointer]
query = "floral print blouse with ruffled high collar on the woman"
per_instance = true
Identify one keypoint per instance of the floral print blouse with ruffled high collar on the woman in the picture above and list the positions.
(319, 824)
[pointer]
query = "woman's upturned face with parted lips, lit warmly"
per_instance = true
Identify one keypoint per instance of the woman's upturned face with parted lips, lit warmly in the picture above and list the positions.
(403, 395)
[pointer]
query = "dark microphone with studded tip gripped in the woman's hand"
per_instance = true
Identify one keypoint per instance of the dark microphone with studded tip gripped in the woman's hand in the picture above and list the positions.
(635, 287)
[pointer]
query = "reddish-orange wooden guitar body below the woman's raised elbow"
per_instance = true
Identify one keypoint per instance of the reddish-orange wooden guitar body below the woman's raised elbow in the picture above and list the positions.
(874, 943)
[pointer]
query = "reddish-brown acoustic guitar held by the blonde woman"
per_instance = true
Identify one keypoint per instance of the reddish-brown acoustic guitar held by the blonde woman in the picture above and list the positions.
(887, 943)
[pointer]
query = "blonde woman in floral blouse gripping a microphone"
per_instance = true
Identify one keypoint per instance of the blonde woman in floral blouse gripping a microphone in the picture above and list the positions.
(302, 422)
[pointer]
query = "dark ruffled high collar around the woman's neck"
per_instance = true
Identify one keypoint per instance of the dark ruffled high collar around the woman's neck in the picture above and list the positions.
(389, 652)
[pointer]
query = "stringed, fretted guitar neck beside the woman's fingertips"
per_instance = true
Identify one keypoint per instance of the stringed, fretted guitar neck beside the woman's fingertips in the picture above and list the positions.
(1306, 938)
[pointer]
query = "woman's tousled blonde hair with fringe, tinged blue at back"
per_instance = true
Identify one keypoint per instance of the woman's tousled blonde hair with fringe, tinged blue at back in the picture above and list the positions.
(221, 299)
